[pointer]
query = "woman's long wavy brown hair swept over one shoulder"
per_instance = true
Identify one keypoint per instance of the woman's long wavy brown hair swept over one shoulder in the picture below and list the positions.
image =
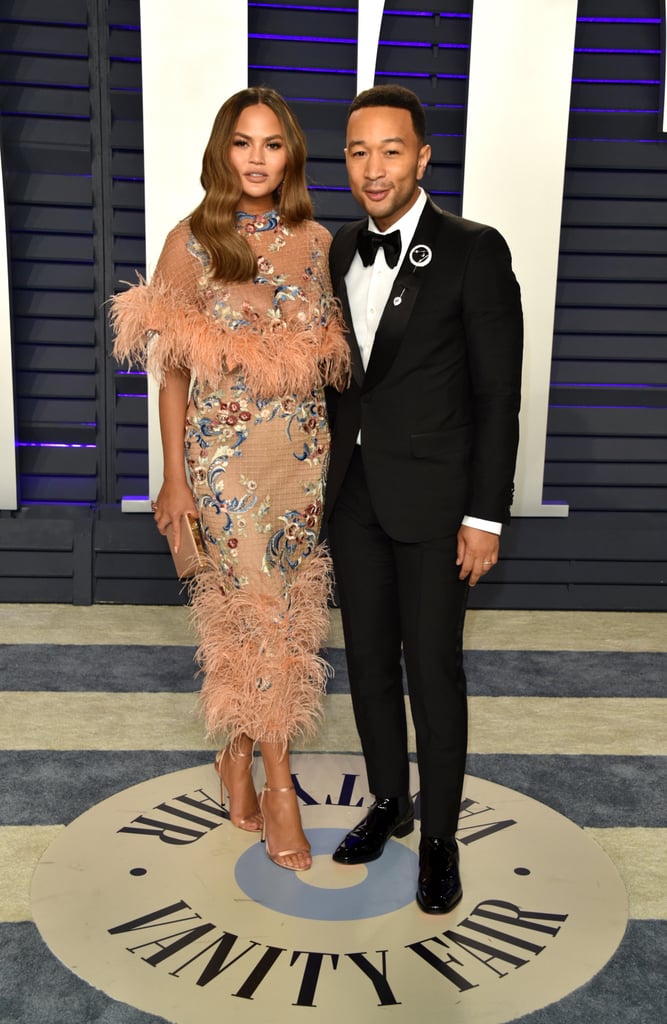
(214, 223)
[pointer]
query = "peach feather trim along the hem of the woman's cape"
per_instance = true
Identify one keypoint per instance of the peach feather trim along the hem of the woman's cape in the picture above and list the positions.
(158, 331)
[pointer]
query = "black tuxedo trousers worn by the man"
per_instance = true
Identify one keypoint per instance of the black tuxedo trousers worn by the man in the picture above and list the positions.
(396, 595)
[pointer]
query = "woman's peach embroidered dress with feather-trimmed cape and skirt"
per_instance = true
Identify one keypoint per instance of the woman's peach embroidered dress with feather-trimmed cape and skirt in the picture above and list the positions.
(257, 446)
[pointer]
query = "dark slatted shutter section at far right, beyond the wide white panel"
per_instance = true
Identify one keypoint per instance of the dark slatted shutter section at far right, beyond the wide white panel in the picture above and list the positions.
(608, 424)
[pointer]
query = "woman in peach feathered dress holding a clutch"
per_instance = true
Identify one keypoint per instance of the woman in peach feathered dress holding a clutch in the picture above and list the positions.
(241, 329)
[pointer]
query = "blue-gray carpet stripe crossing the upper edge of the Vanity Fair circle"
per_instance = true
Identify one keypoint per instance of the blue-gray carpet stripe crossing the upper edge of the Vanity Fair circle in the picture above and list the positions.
(51, 788)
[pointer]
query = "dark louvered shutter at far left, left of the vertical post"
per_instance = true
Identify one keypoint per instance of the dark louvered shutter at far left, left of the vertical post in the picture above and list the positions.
(47, 155)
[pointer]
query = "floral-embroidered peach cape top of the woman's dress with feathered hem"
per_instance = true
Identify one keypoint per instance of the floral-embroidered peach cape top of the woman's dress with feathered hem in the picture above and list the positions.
(281, 330)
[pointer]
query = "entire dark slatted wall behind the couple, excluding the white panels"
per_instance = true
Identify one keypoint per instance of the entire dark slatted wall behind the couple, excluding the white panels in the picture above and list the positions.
(72, 145)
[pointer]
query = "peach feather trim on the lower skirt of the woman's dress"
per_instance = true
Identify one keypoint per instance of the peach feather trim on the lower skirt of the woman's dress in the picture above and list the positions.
(264, 675)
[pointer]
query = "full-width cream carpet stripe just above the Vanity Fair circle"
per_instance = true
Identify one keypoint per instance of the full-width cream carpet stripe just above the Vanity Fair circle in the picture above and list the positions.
(498, 726)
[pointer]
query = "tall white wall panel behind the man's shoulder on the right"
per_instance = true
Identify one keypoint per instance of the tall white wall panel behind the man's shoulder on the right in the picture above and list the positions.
(517, 135)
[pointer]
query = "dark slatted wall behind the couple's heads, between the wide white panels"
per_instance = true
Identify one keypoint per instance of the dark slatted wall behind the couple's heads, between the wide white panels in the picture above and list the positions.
(318, 74)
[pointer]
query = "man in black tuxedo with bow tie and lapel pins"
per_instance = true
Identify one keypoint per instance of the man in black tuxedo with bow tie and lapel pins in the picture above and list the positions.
(425, 445)
